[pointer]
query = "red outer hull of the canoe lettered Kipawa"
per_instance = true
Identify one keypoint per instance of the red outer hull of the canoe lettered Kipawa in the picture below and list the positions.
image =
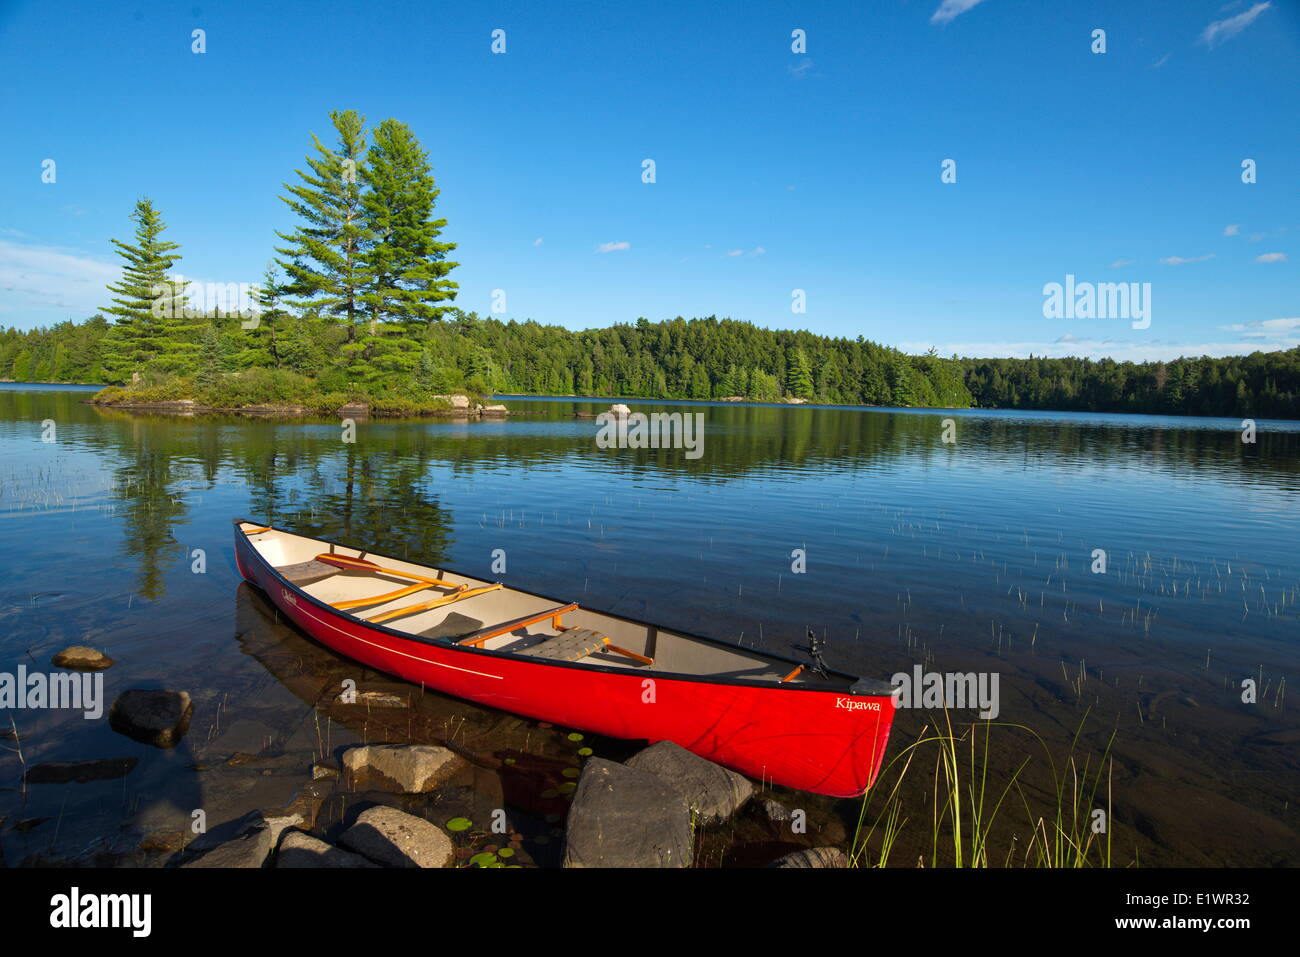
(825, 742)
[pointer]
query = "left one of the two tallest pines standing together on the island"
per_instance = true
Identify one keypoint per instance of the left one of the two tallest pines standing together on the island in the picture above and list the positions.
(323, 261)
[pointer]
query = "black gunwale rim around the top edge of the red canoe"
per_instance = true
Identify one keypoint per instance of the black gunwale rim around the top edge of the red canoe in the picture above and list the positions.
(336, 614)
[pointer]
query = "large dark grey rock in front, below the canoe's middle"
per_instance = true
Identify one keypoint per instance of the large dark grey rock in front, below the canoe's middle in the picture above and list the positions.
(623, 817)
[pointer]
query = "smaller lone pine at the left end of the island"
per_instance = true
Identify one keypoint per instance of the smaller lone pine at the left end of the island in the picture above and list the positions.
(146, 297)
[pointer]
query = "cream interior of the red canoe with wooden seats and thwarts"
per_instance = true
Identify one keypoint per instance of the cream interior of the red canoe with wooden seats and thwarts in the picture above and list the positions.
(673, 653)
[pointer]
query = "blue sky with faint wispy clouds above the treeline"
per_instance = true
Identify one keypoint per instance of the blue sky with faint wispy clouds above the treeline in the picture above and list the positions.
(775, 171)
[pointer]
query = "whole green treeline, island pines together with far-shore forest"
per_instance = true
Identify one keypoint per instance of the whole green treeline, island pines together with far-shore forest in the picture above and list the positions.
(357, 306)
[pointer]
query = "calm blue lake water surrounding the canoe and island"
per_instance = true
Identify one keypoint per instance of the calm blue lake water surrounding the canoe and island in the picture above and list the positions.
(967, 556)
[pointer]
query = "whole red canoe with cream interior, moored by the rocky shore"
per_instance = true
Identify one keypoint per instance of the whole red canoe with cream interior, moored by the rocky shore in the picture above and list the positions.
(762, 714)
